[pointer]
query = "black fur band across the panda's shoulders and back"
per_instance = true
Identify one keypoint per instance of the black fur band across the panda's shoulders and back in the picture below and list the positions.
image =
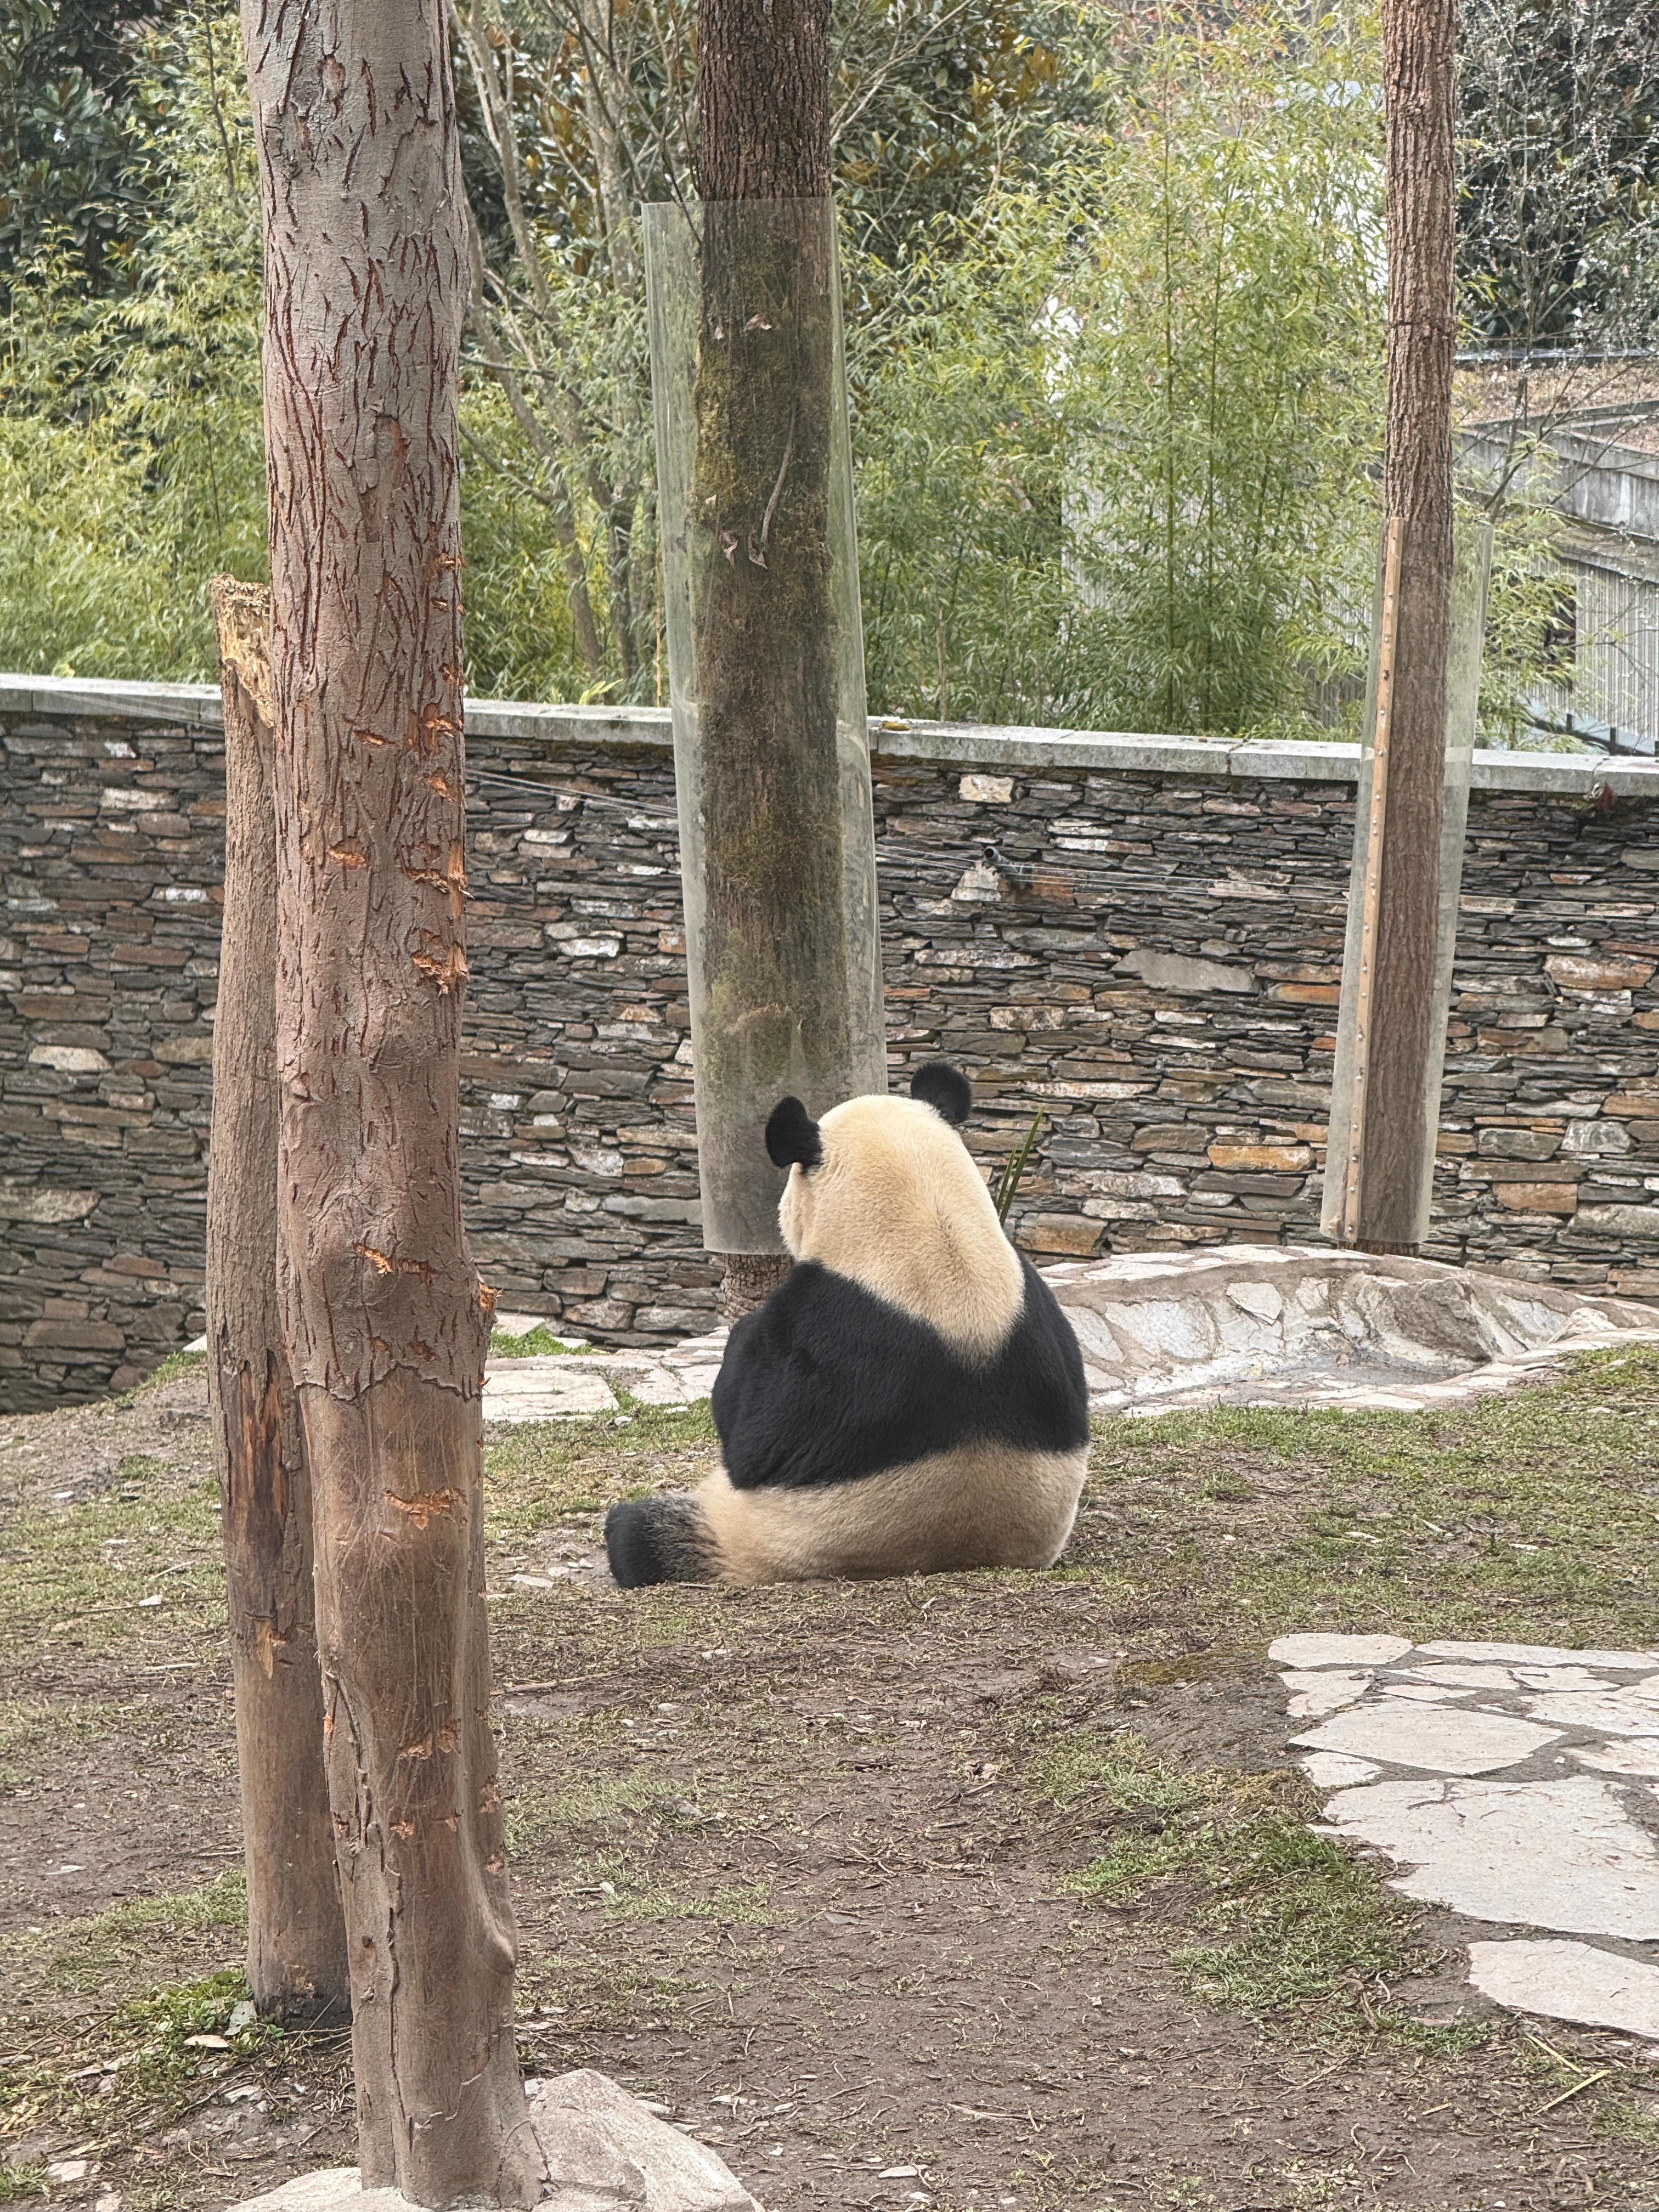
(828, 1384)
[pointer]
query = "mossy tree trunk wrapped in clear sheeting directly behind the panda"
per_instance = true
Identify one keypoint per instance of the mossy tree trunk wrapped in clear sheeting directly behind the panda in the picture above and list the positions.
(784, 1008)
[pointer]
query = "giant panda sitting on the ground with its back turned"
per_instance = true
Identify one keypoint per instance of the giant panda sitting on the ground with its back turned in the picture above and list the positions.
(908, 1401)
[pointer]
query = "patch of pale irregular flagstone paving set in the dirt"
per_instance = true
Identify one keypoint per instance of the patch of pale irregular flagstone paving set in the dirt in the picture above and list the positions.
(1512, 1784)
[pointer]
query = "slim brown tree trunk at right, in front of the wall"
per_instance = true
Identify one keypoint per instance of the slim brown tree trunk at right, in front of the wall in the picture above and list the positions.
(1419, 61)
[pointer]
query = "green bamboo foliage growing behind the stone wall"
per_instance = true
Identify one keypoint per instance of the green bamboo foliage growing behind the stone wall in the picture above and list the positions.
(1114, 337)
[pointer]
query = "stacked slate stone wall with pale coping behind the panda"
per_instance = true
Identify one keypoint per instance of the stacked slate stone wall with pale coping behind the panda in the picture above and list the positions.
(1136, 937)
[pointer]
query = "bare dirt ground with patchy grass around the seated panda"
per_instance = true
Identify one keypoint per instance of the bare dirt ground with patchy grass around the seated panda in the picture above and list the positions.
(985, 1890)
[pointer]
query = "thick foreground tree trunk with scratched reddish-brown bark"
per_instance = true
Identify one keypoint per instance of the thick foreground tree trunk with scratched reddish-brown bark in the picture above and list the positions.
(366, 286)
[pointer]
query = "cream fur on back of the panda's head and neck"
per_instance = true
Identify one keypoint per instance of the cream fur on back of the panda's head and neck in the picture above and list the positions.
(897, 1204)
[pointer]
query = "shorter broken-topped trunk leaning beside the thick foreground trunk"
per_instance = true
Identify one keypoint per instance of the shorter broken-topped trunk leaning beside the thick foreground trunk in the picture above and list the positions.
(295, 1930)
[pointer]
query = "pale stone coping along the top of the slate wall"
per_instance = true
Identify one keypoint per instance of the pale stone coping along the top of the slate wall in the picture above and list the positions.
(893, 738)
